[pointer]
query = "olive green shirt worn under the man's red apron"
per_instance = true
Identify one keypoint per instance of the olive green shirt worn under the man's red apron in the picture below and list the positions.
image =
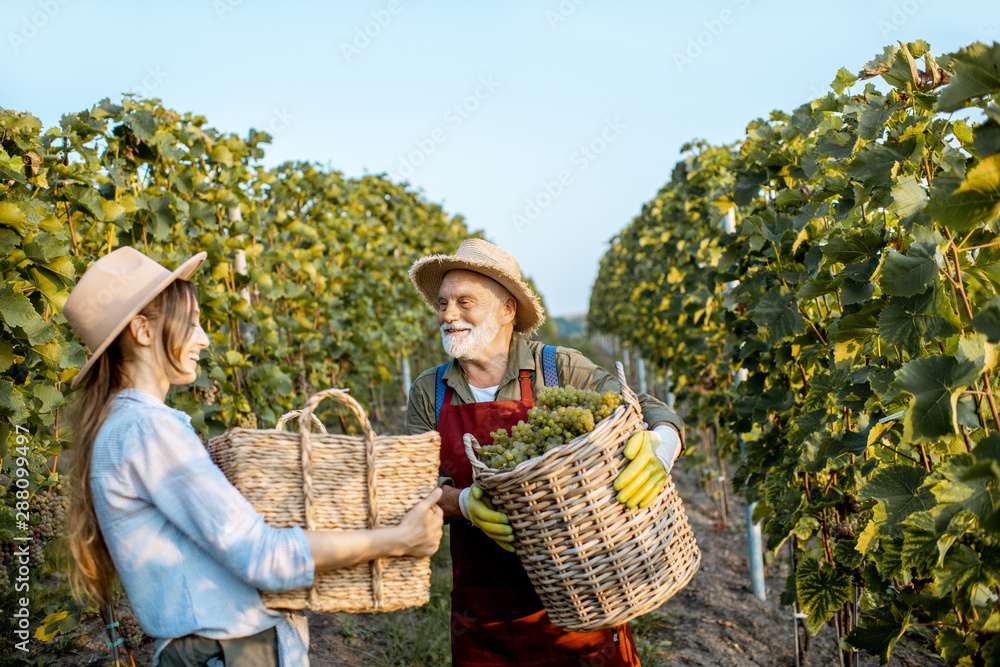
(573, 369)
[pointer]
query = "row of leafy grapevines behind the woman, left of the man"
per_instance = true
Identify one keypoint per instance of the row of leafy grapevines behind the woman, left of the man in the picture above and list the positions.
(325, 299)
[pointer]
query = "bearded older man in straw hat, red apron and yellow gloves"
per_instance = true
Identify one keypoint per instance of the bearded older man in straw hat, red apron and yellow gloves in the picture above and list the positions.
(484, 310)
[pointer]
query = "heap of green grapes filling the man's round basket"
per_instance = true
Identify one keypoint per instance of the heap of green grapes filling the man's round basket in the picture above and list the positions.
(561, 414)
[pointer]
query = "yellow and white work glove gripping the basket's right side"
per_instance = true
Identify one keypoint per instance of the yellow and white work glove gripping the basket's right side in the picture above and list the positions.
(652, 455)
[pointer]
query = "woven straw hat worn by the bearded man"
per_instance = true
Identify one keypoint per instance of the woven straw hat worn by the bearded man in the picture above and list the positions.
(489, 260)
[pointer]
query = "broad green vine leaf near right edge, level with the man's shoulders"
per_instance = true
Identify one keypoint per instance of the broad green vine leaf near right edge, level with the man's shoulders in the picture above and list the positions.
(935, 384)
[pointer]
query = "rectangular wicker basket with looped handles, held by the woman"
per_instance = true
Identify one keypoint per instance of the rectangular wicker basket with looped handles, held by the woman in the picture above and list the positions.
(337, 482)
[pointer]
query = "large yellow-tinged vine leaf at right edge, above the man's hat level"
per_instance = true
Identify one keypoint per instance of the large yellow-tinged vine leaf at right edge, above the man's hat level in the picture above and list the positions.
(975, 201)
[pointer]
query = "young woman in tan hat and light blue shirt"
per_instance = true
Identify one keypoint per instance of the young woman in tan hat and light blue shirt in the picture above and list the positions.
(149, 503)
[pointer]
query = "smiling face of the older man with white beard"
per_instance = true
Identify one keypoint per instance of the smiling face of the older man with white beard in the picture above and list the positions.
(468, 313)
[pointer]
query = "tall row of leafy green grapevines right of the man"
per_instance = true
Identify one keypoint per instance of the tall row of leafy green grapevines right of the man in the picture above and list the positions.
(858, 292)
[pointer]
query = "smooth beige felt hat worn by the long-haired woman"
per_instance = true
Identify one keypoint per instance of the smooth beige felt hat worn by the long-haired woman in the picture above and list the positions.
(114, 290)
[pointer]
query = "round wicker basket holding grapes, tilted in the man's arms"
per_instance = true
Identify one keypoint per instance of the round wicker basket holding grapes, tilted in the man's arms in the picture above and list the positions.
(593, 562)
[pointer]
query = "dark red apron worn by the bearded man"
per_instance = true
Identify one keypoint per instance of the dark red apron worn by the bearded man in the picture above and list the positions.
(497, 619)
